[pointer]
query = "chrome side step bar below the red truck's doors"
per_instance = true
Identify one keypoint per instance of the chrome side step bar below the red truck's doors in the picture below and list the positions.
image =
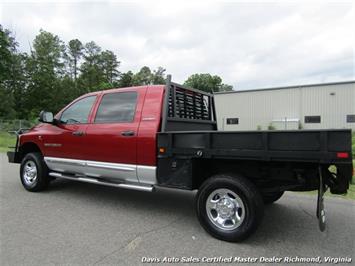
(104, 183)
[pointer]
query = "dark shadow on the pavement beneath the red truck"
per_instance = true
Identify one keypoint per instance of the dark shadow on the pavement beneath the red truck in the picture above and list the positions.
(283, 221)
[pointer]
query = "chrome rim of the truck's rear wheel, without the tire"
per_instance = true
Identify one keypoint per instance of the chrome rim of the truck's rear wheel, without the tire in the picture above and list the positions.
(225, 209)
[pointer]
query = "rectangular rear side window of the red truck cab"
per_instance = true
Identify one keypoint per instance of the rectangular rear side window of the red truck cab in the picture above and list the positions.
(117, 107)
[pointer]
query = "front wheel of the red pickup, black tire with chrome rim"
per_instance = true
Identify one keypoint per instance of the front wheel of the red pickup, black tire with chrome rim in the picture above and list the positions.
(41, 180)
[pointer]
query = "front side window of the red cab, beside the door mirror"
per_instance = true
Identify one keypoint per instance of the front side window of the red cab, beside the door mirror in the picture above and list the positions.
(78, 113)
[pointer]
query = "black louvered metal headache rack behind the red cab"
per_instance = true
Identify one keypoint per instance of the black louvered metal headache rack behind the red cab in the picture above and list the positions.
(187, 109)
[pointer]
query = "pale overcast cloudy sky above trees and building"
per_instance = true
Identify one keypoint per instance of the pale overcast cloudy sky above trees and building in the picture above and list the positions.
(250, 45)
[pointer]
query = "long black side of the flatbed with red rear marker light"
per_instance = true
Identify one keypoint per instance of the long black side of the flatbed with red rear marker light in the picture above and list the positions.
(318, 146)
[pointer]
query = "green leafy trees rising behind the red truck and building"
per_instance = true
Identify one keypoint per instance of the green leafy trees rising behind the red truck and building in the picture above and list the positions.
(54, 73)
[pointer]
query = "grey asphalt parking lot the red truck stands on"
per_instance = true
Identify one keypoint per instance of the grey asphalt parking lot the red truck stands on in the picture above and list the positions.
(84, 224)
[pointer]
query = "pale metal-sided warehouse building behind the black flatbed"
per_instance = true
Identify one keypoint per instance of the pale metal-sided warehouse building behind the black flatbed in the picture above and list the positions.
(316, 106)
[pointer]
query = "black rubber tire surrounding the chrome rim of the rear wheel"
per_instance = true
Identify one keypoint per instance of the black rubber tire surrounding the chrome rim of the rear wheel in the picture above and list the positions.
(247, 193)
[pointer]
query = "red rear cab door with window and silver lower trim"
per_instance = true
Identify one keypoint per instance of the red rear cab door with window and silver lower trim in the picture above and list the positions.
(112, 135)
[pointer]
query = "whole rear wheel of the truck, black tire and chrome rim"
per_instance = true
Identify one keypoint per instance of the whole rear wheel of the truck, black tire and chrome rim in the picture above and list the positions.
(229, 207)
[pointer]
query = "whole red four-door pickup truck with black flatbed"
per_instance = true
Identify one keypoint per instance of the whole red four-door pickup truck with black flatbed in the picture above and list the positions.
(166, 136)
